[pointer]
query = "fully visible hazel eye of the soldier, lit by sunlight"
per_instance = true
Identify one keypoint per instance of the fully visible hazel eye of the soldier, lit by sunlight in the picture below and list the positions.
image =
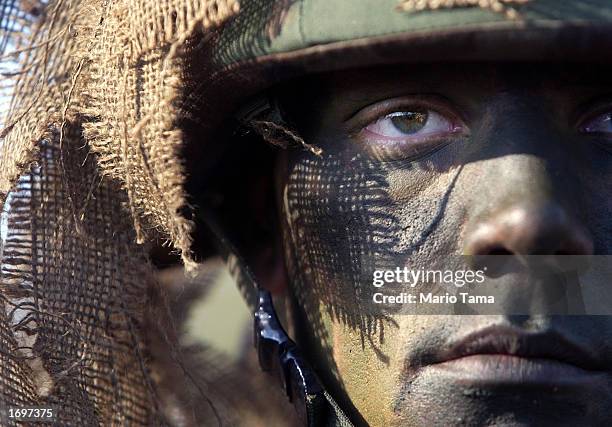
(407, 130)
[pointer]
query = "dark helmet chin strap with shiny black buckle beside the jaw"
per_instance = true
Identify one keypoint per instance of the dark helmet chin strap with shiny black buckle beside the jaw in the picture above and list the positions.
(278, 355)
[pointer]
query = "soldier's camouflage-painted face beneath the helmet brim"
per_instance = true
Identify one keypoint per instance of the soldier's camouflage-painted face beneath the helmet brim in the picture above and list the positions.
(422, 162)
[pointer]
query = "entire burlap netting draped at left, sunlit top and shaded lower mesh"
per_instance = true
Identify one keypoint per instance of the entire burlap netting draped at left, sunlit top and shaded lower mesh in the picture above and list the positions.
(88, 171)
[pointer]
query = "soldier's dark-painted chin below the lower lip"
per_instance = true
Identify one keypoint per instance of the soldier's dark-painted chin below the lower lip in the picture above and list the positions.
(450, 396)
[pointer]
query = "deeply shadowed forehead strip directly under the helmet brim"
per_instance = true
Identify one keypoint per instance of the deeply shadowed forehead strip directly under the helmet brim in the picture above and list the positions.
(460, 82)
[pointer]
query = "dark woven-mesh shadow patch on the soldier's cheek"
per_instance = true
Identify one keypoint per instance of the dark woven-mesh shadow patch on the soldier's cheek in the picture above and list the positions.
(334, 219)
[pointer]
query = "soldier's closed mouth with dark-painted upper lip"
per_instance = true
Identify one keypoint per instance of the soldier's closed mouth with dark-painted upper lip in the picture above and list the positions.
(505, 356)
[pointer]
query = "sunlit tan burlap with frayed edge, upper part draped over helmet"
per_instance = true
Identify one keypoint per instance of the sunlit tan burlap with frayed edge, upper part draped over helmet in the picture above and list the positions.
(116, 68)
